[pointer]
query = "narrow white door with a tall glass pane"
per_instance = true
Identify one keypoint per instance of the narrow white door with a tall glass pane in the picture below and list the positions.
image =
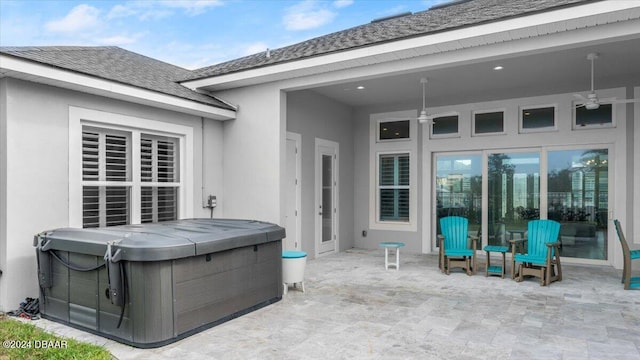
(326, 203)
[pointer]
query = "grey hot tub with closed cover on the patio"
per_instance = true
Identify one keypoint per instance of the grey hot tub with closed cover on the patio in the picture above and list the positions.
(150, 285)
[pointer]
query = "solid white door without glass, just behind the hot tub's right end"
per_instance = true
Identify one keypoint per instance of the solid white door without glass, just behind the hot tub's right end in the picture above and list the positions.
(292, 213)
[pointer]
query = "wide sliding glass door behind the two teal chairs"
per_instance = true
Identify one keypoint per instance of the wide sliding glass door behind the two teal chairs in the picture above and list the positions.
(574, 192)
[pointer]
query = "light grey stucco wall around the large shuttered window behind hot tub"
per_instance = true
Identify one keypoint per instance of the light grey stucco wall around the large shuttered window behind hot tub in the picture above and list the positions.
(36, 171)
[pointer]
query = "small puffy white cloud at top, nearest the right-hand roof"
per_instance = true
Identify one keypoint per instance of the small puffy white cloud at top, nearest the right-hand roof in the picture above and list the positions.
(306, 15)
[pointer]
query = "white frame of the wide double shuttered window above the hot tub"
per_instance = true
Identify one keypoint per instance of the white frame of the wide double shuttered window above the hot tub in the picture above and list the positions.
(79, 117)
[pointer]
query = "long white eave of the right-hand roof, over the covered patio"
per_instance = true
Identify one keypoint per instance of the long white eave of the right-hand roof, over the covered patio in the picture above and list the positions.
(562, 19)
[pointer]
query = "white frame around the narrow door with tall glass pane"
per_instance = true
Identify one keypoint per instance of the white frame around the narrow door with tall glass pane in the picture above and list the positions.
(328, 247)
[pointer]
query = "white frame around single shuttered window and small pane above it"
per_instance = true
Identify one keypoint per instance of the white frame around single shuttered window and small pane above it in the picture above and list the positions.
(377, 148)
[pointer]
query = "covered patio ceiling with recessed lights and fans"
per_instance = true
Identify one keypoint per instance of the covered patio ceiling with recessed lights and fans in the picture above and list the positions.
(561, 71)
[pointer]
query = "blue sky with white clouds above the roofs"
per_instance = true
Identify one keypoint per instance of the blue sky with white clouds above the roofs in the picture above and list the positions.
(188, 33)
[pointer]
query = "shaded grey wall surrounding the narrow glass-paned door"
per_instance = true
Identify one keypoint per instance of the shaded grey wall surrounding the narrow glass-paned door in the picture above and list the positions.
(316, 116)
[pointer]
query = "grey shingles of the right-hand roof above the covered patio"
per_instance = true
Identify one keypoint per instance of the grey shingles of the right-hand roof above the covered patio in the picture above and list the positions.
(458, 14)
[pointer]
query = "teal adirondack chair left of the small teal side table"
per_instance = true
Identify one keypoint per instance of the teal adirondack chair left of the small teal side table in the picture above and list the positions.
(457, 248)
